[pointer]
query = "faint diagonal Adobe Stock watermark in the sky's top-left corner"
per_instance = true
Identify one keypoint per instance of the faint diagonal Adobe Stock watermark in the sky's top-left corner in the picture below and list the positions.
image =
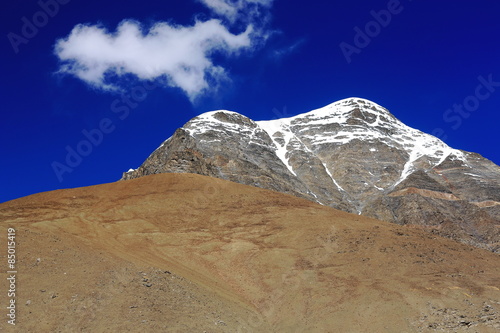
(30, 27)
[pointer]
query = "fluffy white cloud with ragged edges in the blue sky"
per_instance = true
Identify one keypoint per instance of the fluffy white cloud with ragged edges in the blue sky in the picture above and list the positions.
(178, 56)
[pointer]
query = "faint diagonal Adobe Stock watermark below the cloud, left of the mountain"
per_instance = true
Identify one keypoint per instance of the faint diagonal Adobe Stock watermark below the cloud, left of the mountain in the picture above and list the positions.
(94, 137)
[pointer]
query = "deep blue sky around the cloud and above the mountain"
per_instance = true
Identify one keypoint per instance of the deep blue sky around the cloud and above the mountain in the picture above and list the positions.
(428, 58)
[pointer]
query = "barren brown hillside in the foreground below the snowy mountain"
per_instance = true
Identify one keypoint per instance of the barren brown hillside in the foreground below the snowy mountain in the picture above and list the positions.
(188, 253)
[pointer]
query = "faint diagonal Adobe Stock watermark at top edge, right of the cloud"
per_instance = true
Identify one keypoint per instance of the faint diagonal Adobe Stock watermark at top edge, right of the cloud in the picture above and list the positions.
(363, 37)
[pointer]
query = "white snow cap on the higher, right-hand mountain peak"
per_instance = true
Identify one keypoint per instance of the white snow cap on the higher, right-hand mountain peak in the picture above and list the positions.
(357, 119)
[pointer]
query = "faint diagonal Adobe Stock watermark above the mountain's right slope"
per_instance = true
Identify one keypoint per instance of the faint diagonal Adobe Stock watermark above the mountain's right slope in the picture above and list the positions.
(460, 111)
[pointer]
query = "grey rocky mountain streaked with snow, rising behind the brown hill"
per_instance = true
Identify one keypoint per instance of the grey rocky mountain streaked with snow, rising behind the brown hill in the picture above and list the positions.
(352, 155)
